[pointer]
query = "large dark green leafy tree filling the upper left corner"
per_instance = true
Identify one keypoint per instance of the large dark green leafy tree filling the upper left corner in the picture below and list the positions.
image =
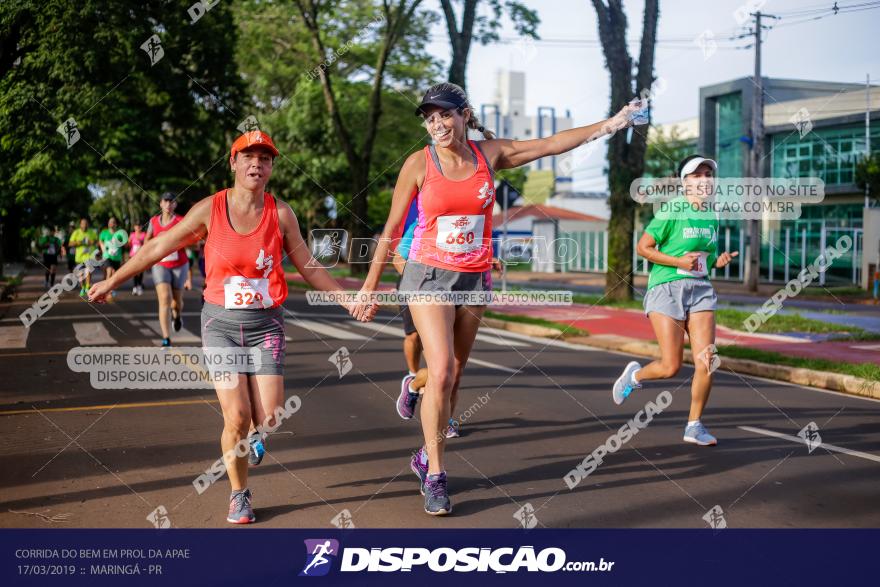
(156, 120)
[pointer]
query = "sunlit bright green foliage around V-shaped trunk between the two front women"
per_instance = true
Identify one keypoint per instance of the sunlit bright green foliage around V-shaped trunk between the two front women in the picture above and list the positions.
(277, 60)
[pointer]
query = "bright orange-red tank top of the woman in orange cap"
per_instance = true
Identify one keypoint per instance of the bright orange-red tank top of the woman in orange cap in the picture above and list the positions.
(244, 271)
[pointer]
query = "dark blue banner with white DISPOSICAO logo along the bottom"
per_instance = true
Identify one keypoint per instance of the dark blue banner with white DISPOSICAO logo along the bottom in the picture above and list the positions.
(390, 557)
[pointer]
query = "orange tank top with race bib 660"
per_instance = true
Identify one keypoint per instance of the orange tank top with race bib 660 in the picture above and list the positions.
(454, 228)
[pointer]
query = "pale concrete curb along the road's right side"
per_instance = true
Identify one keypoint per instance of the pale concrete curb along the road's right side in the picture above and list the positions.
(838, 382)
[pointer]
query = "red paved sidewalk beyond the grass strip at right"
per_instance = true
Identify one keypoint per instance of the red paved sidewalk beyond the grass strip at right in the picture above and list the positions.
(633, 324)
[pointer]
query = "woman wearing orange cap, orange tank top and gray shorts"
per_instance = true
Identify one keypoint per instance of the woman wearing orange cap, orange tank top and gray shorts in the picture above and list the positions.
(248, 233)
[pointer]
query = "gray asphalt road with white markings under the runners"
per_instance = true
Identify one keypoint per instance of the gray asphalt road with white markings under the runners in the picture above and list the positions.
(75, 456)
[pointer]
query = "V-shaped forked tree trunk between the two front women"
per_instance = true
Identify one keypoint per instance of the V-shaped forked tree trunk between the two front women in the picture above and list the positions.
(318, 17)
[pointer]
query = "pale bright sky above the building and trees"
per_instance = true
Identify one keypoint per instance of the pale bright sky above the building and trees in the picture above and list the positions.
(572, 75)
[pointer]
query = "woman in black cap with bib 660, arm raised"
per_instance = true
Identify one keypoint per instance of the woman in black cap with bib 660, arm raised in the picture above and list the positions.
(451, 250)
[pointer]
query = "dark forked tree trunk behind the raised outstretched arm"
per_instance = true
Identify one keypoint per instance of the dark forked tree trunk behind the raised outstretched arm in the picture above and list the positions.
(626, 154)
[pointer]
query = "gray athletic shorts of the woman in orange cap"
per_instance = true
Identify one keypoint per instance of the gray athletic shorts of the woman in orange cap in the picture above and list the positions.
(247, 329)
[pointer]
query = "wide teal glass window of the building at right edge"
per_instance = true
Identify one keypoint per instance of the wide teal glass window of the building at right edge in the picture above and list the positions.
(830, 154)
